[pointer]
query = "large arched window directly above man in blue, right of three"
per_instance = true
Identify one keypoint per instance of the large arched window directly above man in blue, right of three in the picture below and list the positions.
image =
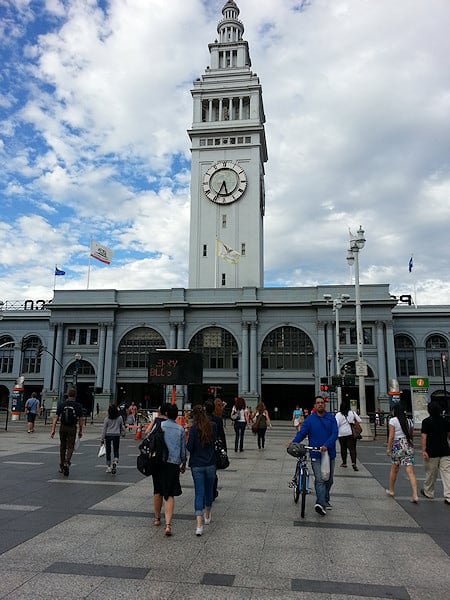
(287, 348)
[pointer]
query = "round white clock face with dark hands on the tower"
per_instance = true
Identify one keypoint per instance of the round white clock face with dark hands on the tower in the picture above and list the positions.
(224, 182)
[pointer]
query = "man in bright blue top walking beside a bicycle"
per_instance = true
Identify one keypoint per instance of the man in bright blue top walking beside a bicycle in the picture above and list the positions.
(322, 431)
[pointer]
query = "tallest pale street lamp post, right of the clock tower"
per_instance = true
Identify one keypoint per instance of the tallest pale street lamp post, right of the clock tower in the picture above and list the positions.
(357, 243)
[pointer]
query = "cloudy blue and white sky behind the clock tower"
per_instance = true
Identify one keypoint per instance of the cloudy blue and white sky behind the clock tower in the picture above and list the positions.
(94, 107)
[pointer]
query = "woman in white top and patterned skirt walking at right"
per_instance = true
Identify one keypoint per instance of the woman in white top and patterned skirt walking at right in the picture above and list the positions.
(401, 450)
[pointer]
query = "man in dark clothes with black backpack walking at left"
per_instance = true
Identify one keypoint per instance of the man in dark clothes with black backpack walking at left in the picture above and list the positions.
(70, 413)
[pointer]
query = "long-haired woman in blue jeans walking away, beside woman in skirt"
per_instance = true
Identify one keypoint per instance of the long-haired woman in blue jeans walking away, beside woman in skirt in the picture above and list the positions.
(202, 460)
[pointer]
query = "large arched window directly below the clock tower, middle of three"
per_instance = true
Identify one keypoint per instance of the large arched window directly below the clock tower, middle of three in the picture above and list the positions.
(218, 348)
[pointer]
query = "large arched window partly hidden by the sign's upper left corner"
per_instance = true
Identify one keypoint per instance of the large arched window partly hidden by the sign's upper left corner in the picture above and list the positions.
(136, 346)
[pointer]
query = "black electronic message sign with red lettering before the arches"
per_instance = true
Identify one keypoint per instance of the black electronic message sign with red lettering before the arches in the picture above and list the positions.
(175, 367)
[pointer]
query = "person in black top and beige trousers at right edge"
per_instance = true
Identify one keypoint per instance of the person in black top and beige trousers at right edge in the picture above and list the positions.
(435, 433)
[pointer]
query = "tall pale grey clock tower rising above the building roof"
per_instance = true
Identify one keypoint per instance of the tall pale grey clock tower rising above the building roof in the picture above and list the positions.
(228, 146)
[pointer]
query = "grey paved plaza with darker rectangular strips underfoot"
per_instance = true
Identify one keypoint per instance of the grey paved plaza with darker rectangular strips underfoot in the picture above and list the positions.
(91, 535)
